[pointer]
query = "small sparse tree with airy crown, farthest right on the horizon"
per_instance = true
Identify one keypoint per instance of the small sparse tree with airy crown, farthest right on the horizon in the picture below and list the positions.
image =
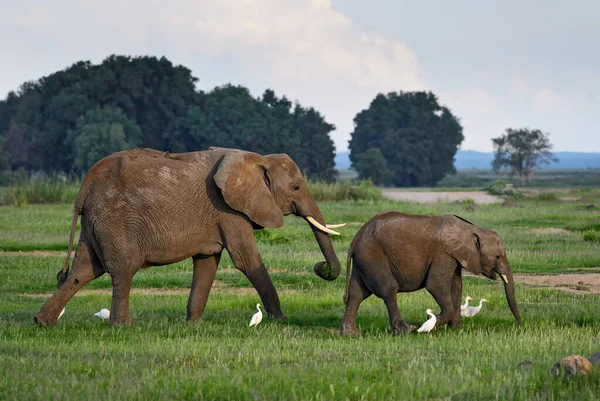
(522, 151)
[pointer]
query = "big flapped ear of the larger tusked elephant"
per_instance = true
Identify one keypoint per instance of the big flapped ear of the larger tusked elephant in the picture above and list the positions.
(243, 179)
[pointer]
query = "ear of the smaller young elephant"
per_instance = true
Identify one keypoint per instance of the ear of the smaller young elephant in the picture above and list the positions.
(460, 240)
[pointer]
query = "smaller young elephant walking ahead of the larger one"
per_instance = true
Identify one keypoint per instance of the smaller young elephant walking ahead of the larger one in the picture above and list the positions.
(397, 252)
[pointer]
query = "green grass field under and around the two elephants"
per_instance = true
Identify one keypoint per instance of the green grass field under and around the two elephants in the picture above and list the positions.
(161, 356)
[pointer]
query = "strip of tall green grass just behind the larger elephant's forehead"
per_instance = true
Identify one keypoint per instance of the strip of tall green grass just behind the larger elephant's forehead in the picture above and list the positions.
(339, 191)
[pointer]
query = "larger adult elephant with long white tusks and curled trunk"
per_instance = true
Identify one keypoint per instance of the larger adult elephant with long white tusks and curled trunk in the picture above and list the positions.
(144, 208)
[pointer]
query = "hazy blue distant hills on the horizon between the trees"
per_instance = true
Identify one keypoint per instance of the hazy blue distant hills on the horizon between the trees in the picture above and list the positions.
(471, 159)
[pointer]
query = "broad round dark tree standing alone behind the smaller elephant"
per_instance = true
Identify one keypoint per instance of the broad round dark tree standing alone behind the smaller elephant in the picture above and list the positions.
(416, 136)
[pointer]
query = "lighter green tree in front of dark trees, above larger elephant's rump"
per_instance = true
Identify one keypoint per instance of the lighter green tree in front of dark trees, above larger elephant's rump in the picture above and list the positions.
(100, 132)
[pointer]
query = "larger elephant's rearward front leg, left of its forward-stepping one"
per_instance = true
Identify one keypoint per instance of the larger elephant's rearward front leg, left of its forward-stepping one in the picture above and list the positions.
(205, 269)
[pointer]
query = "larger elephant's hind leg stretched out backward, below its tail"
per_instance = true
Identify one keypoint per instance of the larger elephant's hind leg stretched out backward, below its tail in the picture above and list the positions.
(86, 267)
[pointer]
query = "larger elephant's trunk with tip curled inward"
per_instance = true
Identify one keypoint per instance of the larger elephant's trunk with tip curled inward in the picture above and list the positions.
(329, 269)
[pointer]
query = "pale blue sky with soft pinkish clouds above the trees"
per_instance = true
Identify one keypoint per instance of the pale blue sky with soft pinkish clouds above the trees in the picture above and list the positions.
(495, 65)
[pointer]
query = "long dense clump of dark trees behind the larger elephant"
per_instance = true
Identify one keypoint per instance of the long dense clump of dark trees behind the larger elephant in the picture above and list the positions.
(68, 120)
